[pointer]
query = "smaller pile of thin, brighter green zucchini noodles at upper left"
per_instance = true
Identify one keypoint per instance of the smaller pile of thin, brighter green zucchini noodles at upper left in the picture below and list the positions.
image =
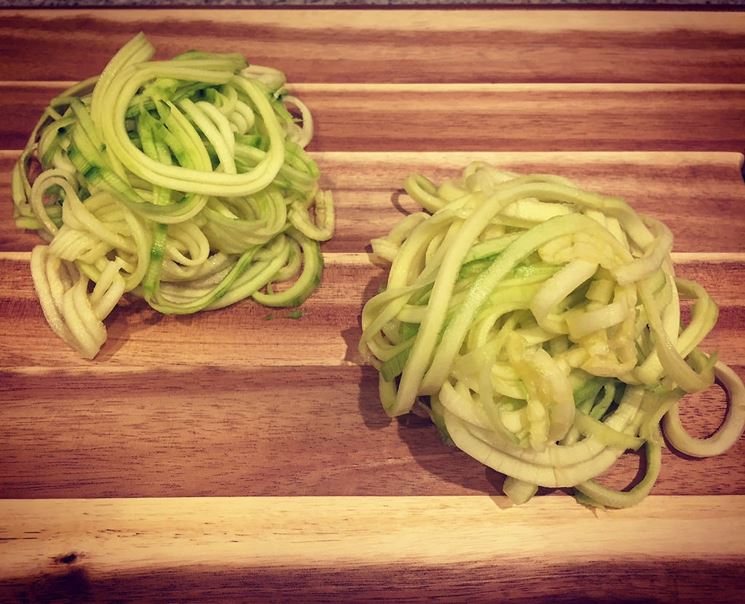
(184, 182)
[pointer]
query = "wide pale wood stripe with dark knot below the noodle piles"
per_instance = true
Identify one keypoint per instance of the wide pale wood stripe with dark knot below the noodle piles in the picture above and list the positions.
(121, 536)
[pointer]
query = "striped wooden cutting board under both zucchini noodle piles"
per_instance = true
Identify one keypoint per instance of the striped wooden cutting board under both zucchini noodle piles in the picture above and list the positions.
(225, 456)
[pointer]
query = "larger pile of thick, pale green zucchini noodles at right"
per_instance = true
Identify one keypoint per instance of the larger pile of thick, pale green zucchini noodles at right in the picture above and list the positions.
(539, 326)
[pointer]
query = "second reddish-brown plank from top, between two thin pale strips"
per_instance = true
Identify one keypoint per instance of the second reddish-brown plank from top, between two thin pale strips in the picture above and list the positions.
(489, 117)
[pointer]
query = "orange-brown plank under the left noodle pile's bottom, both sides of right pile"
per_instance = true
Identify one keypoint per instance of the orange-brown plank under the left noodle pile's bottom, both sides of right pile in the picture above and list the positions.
(242, 335)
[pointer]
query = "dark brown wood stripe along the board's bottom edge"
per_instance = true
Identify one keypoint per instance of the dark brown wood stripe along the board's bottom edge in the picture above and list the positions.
(653, 580)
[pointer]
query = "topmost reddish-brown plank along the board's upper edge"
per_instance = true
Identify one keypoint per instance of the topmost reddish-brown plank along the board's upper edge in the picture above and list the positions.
(424, 46)
